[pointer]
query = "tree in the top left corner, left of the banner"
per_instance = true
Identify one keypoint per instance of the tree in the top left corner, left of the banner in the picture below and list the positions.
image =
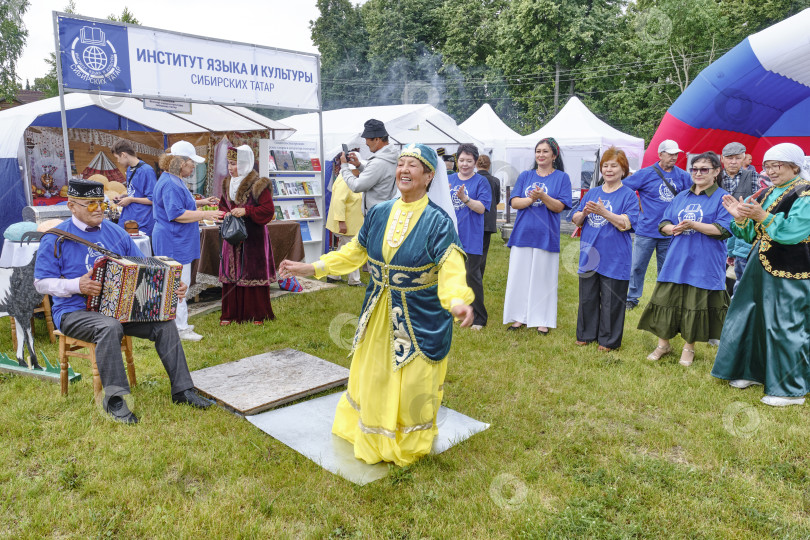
(12, 40)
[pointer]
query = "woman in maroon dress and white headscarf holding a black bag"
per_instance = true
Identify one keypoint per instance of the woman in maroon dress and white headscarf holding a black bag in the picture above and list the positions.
(246, 271)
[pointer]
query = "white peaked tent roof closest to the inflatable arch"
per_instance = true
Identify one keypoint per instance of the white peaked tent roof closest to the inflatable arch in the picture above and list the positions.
(576, 125)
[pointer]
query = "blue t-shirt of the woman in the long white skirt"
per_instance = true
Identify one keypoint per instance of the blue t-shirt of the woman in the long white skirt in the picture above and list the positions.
(536, 226)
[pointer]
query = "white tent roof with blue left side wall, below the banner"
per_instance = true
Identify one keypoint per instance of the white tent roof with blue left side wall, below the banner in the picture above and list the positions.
(87, 111)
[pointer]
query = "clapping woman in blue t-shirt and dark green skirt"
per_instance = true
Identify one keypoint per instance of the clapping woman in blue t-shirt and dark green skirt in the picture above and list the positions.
(690, 296)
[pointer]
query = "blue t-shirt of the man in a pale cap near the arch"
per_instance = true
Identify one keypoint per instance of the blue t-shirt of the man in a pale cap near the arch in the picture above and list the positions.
(655, 196)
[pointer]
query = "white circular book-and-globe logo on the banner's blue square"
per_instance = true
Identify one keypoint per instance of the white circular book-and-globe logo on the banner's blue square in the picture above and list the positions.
(95, 59)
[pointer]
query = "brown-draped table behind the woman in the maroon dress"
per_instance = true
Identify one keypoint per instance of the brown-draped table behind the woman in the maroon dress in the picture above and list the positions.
(285, 240)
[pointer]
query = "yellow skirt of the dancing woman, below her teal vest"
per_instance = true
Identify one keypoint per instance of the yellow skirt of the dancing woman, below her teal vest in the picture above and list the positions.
(389, 415)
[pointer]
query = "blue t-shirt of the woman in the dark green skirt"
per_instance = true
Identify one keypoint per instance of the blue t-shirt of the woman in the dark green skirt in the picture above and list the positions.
(694, 258)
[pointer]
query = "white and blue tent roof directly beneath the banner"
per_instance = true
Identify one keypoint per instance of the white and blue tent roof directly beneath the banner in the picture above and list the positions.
(92, 111)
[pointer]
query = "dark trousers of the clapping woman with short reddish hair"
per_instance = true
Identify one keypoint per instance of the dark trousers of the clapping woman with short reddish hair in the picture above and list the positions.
(601, 309)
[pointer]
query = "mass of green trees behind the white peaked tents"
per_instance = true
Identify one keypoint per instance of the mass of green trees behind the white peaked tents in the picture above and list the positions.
(628, 60)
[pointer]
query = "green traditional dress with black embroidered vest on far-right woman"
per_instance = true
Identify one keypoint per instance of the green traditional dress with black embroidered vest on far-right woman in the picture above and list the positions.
(766, 336)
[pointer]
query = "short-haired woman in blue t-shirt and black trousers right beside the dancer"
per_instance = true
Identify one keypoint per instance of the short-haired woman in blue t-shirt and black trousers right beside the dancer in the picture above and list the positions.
(471, 196)
